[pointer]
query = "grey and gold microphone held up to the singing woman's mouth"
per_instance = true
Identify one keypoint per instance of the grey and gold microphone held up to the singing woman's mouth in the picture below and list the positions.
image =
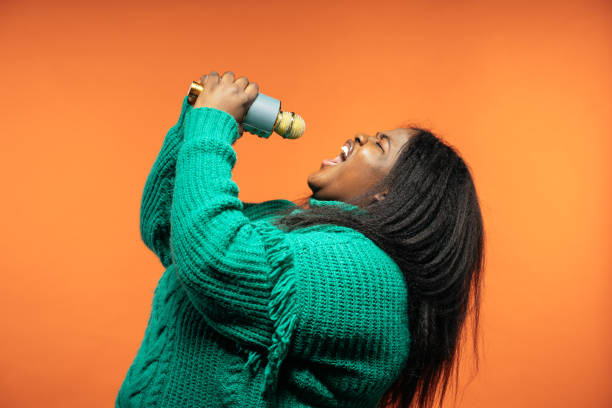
(264, 116)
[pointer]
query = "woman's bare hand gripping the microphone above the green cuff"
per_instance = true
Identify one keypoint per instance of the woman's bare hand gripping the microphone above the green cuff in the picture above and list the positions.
(226, 94)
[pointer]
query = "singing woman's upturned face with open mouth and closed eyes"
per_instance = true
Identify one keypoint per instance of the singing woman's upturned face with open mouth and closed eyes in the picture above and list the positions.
(368, 160)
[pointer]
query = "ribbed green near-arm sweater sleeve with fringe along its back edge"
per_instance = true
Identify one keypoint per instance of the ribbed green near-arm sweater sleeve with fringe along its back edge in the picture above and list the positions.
(235, 271)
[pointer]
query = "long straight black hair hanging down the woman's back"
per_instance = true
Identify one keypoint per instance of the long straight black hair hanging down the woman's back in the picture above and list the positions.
(430, 224)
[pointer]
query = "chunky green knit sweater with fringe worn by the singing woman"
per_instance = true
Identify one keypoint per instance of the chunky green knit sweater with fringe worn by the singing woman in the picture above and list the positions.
(246, 315)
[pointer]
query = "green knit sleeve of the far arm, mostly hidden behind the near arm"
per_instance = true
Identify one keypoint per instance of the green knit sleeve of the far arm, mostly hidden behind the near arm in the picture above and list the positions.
(157, 194)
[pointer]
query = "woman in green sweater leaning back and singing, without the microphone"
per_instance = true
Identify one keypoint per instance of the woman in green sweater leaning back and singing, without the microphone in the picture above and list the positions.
(356, 298)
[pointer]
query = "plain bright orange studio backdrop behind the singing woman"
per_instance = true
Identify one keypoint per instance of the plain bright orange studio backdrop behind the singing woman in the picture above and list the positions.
(523, 89)
